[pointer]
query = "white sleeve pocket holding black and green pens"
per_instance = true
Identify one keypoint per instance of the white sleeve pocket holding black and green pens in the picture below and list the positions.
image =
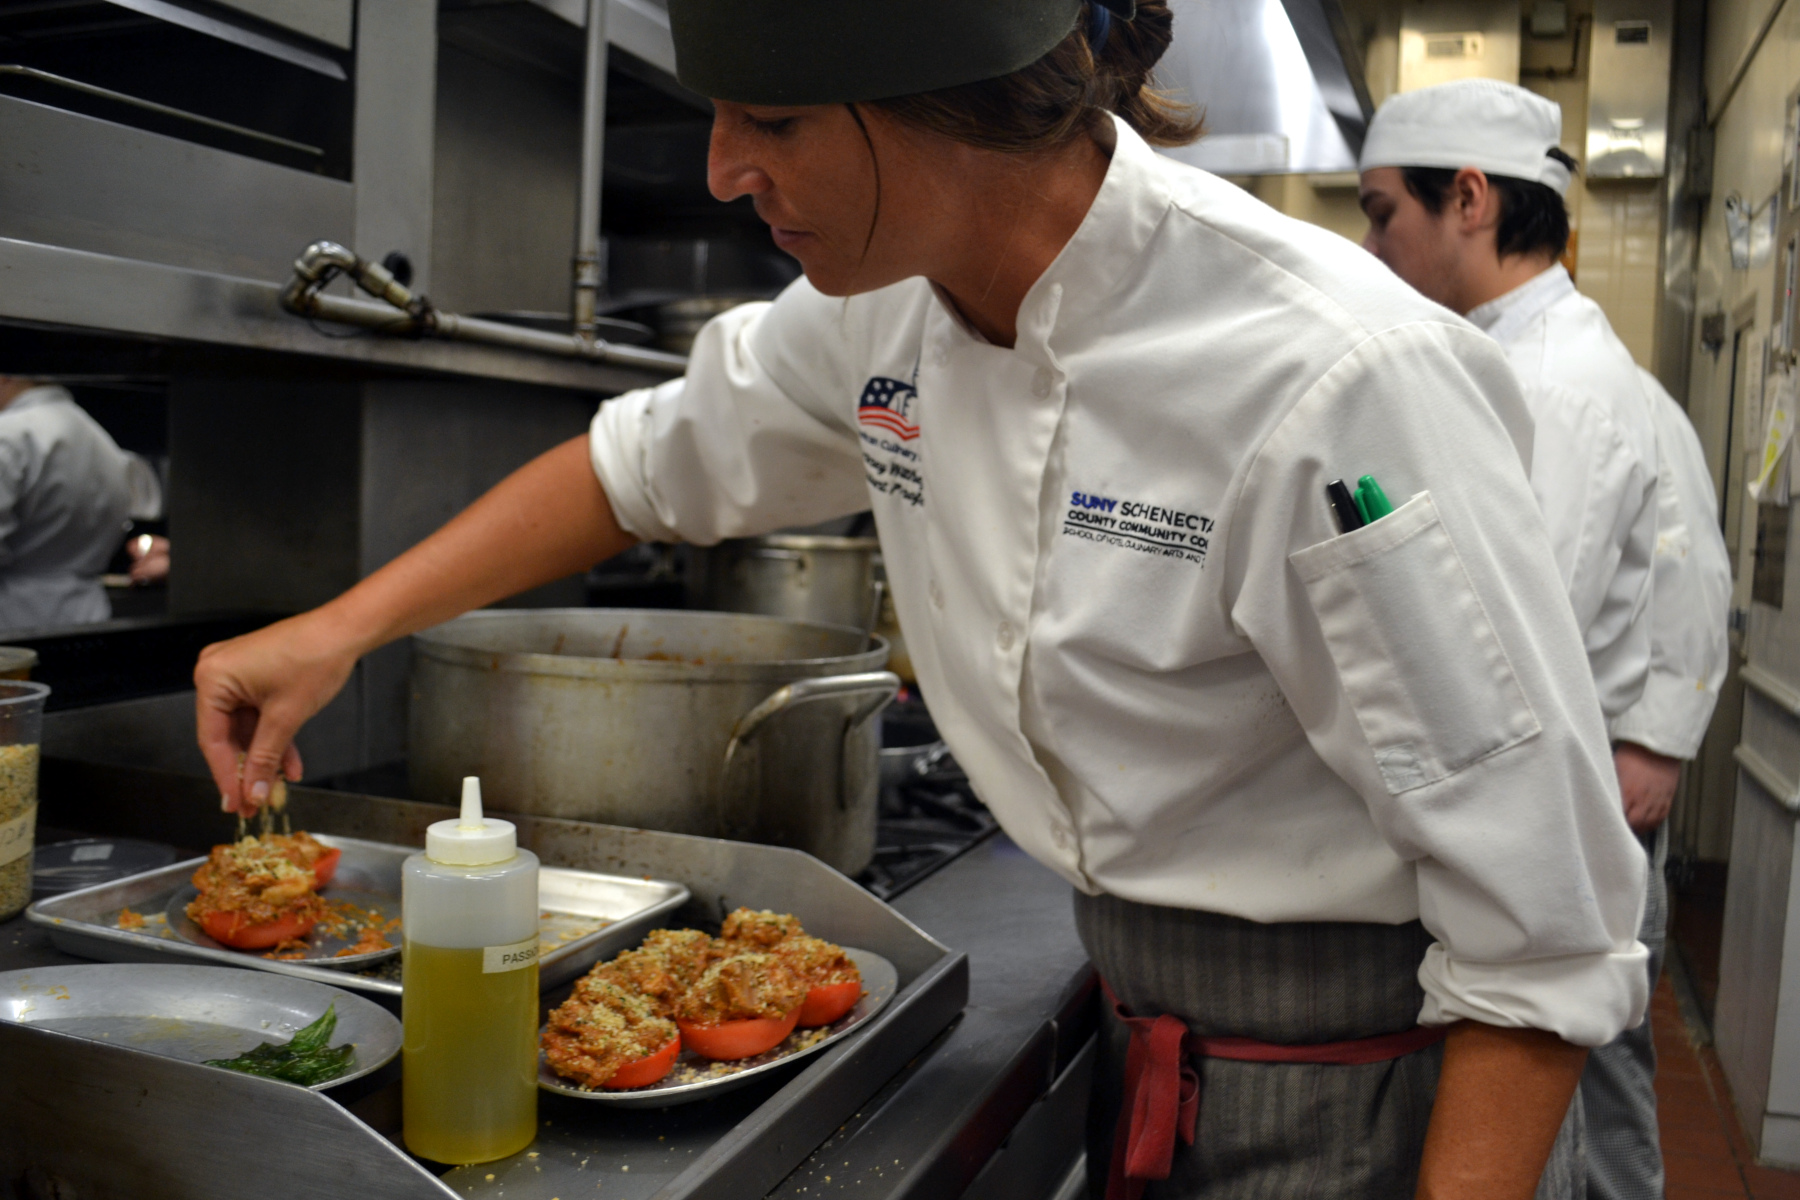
(1419, 659)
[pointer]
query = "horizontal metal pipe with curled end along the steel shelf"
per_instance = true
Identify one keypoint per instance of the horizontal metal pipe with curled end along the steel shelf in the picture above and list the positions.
(409, 314)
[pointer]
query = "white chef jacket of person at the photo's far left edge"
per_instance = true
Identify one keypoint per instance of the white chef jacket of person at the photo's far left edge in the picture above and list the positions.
(64, 501)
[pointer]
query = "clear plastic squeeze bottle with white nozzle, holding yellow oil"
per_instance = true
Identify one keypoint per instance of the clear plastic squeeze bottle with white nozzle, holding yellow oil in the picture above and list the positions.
(471, 1003)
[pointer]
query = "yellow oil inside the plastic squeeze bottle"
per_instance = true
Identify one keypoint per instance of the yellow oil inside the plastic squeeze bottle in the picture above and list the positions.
(469, 1077)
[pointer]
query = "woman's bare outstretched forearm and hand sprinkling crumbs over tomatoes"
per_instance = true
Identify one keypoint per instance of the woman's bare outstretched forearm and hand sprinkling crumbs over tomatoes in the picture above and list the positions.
(546, 521)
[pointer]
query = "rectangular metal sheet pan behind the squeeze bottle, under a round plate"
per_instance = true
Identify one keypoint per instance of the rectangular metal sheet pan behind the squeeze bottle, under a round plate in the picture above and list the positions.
(584, 917)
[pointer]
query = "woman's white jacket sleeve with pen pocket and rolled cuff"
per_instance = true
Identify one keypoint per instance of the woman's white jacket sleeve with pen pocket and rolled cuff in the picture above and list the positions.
(1437, 668)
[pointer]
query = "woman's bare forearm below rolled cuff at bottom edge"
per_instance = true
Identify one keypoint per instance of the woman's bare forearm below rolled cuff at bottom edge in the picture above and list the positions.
(1502, 1098)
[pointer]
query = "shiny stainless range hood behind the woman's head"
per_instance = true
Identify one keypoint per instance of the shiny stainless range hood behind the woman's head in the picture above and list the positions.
(1279, 80)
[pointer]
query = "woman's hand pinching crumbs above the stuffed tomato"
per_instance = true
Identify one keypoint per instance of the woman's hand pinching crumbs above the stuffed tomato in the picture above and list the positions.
(253, 695)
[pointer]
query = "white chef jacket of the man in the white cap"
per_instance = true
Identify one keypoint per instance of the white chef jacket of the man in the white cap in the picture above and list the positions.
(1594, 469)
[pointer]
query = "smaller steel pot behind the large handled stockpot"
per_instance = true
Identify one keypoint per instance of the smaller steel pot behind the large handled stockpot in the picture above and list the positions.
(795, 577)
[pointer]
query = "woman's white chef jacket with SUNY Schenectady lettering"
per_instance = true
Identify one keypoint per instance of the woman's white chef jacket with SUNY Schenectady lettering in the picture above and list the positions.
(1140, 631)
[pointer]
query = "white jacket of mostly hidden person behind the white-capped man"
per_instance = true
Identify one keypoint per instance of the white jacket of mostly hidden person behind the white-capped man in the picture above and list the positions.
(1691, 598)
